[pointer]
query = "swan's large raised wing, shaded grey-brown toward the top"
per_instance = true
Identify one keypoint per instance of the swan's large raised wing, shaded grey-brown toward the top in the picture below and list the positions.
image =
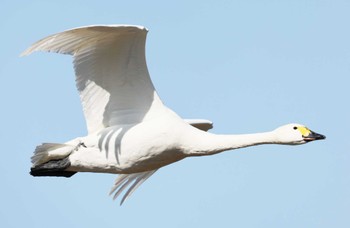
(111, 72)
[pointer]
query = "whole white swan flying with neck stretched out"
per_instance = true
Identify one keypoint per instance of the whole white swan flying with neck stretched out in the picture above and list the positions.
(130, 131)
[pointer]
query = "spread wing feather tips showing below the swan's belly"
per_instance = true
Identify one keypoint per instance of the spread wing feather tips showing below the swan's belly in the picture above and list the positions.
(124, 180)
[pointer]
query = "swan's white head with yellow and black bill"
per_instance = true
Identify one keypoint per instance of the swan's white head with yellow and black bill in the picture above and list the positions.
(294, 134)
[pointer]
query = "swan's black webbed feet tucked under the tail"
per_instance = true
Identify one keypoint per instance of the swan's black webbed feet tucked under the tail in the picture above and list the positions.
(54, 168)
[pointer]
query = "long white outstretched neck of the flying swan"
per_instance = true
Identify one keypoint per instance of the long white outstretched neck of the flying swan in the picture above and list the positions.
(204, 143)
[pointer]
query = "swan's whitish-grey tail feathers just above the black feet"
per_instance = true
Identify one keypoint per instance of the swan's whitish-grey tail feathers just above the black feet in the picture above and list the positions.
(50, 151)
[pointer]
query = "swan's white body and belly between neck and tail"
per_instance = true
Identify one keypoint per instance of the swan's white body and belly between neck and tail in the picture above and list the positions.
(128, 149)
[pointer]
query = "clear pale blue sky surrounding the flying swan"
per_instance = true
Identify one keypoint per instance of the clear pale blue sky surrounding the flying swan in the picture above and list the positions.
(249, 66)
